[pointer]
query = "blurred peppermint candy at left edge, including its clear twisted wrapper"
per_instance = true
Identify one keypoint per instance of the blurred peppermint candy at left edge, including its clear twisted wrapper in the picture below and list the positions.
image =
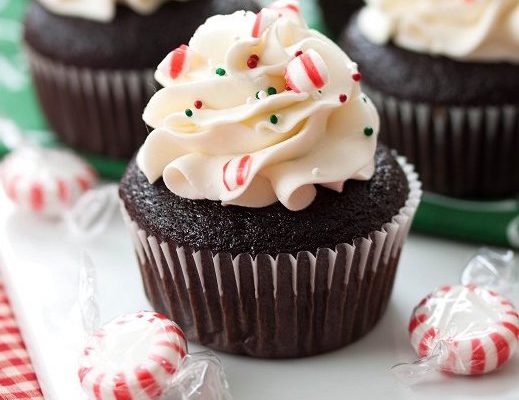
(56, 183)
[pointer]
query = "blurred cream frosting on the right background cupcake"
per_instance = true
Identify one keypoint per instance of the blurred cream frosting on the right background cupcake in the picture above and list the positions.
(473, 30)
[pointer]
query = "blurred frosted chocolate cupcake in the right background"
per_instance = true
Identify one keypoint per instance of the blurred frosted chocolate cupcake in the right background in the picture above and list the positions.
(447, 89)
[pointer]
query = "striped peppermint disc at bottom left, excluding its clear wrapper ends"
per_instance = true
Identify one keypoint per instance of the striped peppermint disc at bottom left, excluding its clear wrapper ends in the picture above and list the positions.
(132, 358)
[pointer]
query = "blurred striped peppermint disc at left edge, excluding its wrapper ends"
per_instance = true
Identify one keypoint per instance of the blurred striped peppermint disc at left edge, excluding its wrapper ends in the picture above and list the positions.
(45, 181)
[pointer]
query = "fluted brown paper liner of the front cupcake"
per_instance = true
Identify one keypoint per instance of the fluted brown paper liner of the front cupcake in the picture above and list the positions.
(281, 306)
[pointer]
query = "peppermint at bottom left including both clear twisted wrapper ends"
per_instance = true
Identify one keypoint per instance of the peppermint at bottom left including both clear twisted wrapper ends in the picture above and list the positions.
(141, 355)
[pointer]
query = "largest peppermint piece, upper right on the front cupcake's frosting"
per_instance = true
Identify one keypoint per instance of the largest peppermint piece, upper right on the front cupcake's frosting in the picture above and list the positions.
(307, 72)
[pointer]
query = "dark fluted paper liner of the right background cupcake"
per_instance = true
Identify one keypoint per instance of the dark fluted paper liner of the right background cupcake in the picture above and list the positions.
(458, 151)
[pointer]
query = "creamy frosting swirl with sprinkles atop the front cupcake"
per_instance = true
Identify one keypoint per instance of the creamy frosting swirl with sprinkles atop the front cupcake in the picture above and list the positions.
(229, 149)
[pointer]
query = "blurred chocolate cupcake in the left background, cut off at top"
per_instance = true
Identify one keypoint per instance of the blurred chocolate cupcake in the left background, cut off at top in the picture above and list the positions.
(92, 64)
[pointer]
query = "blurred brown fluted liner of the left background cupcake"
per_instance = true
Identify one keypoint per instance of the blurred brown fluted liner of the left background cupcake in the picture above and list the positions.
(93, 110)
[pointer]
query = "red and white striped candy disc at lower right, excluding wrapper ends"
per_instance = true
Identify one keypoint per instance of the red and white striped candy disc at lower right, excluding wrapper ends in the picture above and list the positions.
(479, 328)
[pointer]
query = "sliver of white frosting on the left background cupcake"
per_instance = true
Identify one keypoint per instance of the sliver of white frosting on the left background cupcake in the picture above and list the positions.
(99, 10)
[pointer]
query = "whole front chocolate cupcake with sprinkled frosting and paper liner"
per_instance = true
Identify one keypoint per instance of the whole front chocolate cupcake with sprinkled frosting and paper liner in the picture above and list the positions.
(266, 220)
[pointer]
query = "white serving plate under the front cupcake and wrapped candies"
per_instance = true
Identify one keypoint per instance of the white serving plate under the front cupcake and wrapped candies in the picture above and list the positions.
(40, 267)
